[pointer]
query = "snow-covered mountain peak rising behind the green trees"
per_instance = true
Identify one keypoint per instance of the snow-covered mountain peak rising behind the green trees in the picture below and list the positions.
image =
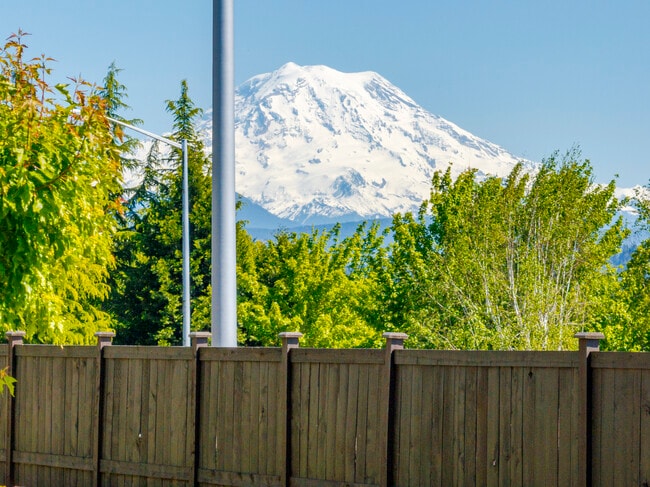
(315, 145)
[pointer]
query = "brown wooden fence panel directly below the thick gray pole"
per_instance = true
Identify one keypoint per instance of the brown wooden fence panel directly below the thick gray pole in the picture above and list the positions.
(240, 411)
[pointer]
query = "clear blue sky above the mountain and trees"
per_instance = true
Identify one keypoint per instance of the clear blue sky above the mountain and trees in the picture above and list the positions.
(533, 77)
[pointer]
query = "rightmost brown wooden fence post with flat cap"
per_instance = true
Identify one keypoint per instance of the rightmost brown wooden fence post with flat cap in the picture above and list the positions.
(587, 342)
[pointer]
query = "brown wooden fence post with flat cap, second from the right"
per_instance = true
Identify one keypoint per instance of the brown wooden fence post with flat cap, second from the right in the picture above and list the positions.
(394, 341)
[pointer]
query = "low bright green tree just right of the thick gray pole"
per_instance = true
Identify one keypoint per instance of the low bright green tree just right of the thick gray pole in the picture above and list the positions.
(312, 283)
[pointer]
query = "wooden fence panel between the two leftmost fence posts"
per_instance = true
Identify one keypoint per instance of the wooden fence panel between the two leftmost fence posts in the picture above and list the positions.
(54, 407)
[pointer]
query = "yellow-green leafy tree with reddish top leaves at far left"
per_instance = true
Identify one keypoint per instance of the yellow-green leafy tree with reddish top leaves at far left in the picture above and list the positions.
(59, 173)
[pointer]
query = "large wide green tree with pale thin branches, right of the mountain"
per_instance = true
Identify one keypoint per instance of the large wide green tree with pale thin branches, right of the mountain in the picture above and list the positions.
(506, 264)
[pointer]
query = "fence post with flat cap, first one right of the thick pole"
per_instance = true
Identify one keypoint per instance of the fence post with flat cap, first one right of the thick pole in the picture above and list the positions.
(290, 339)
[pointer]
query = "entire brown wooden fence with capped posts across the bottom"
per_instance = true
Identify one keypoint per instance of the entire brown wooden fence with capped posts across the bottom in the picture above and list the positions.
(118, 415)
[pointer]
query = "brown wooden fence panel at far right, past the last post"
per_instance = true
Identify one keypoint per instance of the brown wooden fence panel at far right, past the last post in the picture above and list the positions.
(620, 423)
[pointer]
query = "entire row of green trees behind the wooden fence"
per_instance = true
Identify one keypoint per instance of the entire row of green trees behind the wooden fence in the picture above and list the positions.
(517, 263)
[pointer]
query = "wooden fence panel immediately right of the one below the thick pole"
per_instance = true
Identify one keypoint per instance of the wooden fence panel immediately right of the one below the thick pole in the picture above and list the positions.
(336, 399)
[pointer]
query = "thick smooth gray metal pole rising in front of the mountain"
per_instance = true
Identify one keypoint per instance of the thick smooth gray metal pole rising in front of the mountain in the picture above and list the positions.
(224, 283)
